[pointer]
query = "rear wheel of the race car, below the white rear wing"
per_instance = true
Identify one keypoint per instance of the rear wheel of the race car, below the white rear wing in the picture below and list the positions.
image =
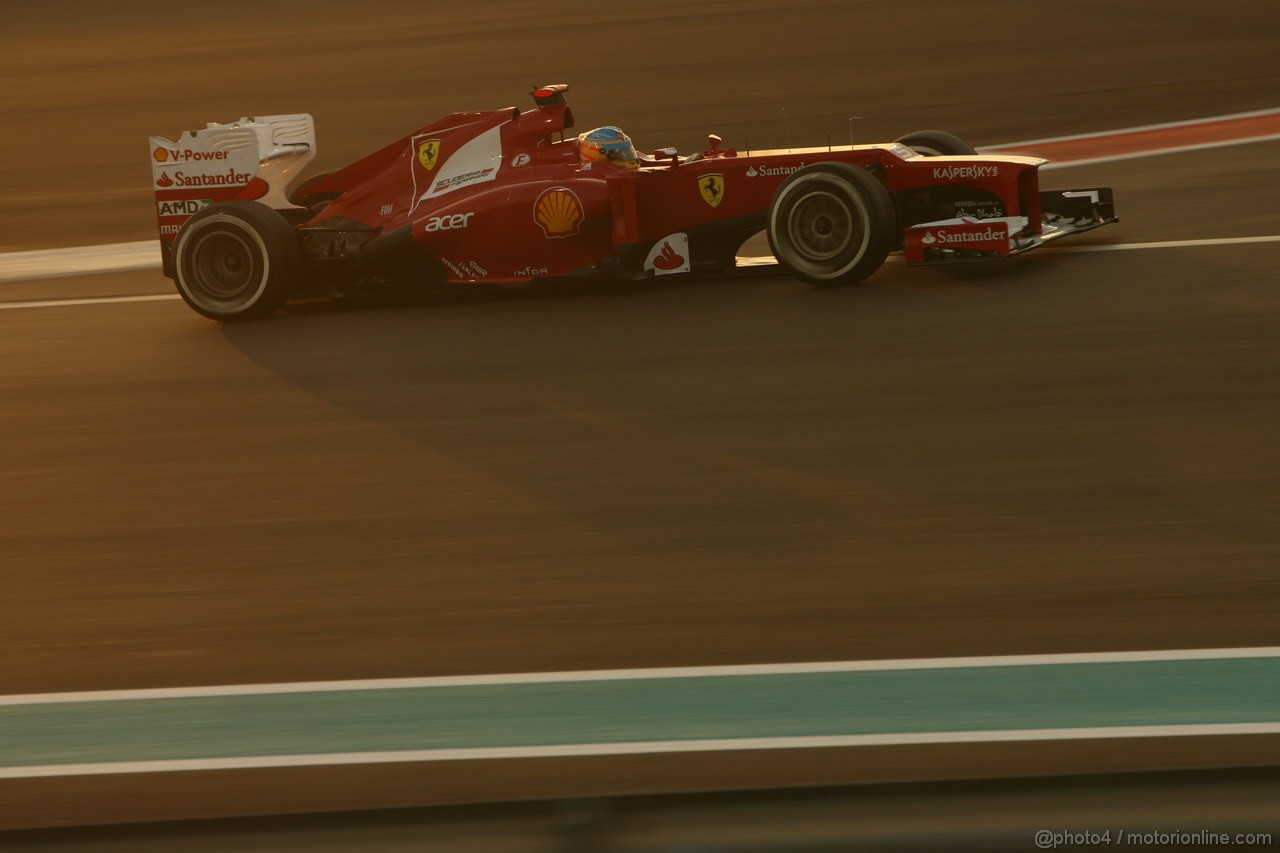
(236, 261)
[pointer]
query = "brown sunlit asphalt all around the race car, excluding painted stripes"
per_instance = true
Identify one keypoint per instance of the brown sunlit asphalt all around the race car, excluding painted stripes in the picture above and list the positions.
(1066, 454)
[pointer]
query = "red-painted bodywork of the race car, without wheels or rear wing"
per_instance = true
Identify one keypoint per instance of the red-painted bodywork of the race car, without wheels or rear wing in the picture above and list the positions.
(502, 198)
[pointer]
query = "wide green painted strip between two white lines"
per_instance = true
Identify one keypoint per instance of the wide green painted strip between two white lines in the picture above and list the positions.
(1155, 694)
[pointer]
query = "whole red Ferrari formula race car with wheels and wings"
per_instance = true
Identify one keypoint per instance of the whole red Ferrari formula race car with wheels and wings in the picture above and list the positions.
(511, 198)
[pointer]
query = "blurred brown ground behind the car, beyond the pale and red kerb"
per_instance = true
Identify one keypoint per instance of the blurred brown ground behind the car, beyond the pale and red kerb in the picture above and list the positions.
(83, 90)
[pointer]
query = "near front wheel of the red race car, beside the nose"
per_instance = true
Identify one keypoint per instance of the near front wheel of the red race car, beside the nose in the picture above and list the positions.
(831, 225)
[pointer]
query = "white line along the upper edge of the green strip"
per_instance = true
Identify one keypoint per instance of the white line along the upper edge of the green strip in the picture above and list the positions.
(647, 674)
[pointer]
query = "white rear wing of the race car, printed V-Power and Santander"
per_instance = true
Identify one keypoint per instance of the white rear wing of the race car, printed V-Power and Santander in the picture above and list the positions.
(250, 159)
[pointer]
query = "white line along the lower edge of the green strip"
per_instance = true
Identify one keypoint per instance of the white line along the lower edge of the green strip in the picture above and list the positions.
(588, 750)
